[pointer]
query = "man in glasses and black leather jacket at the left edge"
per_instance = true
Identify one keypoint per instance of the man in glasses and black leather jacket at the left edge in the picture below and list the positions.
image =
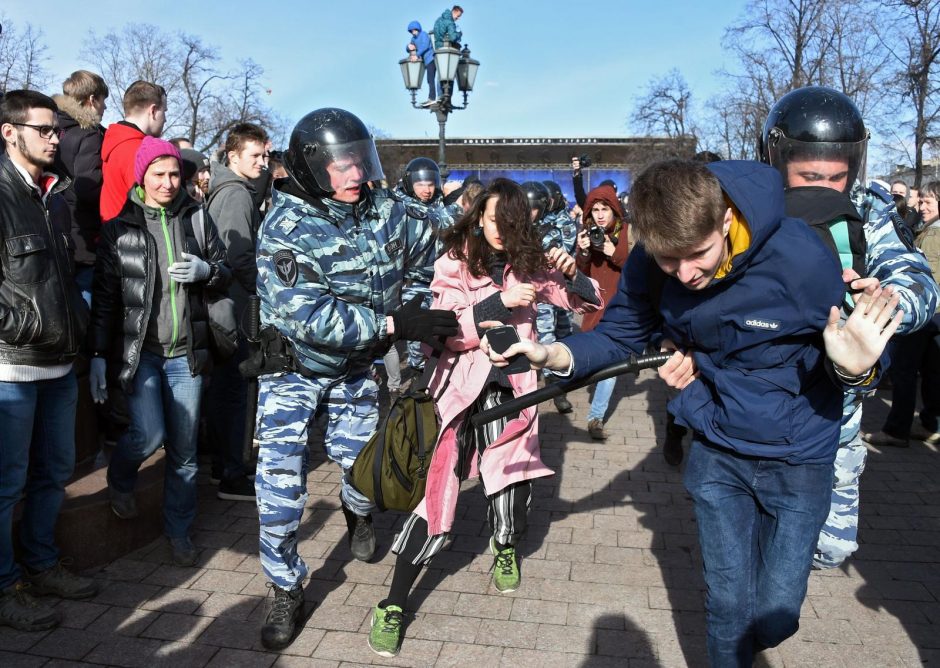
(42, 321)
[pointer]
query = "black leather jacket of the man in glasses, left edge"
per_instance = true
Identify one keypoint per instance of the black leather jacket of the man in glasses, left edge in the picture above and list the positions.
(42, 315)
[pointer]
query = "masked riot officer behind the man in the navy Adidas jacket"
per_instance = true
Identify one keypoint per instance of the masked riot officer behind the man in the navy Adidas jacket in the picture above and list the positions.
(816, 138)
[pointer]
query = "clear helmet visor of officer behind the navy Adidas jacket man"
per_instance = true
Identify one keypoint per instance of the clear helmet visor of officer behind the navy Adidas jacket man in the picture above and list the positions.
(834, 165)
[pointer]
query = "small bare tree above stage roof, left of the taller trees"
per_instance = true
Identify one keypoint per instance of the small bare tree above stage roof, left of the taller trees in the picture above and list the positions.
(665, 108)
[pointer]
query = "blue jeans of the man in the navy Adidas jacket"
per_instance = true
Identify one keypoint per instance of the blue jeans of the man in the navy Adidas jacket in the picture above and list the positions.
(758, 522)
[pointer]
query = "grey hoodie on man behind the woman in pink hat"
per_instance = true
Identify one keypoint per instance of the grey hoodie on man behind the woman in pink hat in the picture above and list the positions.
(231, 207)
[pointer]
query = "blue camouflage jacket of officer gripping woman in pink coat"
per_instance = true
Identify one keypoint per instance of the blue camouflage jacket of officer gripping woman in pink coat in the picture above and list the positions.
(330, 273)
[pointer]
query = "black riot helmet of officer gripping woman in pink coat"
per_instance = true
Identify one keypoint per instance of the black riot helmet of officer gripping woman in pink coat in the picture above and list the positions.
(335, 139)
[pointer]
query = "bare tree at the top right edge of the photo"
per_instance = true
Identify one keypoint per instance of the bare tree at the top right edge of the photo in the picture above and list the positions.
(915, 49)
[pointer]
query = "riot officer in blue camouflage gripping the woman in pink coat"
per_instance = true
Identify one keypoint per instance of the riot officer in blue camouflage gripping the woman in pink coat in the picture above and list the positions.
(332, 255)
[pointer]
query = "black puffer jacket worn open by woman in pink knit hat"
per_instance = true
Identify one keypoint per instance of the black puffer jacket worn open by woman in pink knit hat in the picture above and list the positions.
(124, 284)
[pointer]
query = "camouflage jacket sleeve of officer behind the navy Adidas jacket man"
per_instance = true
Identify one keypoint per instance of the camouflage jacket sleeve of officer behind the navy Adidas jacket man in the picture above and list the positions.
(894, 261)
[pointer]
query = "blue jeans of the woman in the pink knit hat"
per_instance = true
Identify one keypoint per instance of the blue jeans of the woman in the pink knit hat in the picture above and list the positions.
(164, 408)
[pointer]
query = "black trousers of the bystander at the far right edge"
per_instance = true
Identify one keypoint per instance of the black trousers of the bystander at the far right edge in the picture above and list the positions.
(913, 354)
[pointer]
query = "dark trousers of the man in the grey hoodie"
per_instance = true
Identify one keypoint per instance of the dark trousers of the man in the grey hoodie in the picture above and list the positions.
(226, 405)
